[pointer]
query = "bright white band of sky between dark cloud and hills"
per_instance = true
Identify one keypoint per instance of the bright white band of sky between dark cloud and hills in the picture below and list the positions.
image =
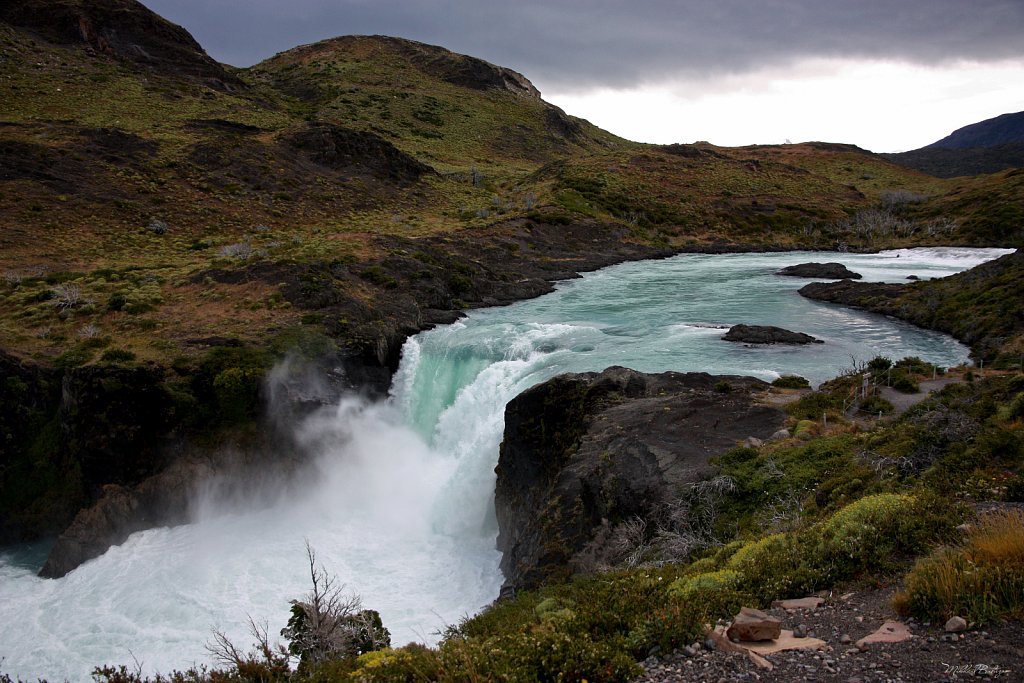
(881, 107)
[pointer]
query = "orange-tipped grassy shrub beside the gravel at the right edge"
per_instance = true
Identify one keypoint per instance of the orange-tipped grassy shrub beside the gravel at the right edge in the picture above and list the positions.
(982, 581)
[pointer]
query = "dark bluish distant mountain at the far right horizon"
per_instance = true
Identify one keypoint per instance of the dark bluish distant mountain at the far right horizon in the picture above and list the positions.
(988, 147)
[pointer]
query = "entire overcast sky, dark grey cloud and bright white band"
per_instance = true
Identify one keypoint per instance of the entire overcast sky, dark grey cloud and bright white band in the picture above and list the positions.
(887, 75)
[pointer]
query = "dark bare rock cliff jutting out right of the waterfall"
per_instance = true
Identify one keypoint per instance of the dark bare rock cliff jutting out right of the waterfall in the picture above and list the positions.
(584, 453)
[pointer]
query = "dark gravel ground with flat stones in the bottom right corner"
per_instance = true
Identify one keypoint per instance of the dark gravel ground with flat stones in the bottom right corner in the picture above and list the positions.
(994, 654)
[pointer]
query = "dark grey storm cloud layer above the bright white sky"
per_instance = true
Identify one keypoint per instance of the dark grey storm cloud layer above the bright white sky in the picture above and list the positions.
(584, 44)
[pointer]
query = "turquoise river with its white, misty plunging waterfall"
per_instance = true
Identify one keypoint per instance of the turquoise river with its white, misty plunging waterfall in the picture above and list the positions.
(400, 505)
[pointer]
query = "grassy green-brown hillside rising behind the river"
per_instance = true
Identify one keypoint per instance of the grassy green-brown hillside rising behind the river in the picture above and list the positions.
(132, 180)
